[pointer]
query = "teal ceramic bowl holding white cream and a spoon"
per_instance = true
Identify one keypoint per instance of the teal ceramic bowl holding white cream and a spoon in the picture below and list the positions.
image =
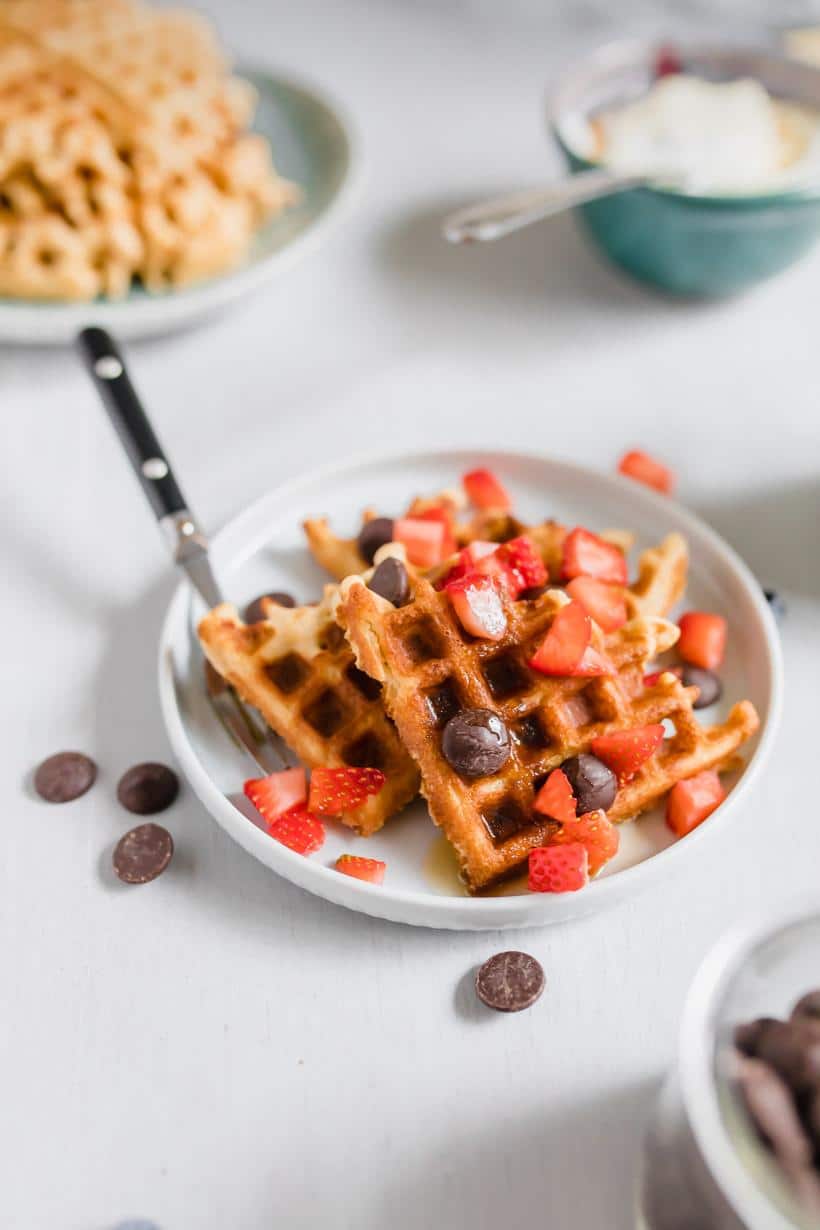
(704, 247)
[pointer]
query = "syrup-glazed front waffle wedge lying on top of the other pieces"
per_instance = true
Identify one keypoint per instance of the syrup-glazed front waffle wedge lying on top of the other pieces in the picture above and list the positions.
(431, 670)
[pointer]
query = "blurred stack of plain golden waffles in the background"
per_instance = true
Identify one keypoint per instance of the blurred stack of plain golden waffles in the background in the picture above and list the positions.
(125, 152)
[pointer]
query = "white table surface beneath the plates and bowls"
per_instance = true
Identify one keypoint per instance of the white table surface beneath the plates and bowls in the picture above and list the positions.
(219, 1050)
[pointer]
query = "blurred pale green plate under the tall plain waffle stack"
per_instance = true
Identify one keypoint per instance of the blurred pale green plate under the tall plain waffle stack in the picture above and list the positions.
(312, 146)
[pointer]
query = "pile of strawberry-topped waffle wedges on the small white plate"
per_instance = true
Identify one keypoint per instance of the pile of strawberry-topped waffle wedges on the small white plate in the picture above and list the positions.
(358, 681)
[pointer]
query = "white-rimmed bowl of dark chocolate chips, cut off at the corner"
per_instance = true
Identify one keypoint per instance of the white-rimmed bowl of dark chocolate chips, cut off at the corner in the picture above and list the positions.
(735, 1143)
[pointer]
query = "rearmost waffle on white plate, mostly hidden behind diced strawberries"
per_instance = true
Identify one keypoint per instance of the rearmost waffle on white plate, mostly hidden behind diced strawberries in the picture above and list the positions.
(660, 585)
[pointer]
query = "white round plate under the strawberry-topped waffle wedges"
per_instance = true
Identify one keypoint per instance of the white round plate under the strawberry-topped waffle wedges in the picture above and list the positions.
(265, 550)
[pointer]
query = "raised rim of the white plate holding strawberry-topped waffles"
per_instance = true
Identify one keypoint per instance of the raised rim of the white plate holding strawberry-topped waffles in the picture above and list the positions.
(443, 912)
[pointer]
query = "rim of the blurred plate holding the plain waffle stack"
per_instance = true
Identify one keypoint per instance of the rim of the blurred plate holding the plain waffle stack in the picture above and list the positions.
(36, 323)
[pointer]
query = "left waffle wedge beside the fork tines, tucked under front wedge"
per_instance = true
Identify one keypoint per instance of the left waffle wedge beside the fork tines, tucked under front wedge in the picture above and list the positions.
(298, 671)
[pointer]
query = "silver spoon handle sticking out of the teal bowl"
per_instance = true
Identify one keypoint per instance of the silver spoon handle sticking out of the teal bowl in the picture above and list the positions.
(502, 216)
